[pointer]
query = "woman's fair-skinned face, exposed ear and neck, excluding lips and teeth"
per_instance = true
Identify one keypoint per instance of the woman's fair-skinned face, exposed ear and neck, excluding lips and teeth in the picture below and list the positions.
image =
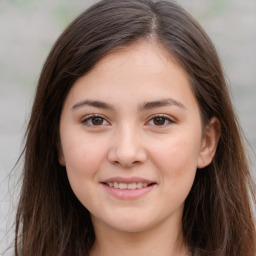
(163, 143)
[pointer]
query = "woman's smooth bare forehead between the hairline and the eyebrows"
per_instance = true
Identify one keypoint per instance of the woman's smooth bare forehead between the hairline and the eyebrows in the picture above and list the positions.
(143, 71)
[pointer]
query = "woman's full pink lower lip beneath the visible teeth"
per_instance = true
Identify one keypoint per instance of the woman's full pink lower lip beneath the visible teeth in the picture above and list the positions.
(128, 193)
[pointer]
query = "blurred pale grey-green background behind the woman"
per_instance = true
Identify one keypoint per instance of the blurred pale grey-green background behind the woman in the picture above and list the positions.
(28, 29)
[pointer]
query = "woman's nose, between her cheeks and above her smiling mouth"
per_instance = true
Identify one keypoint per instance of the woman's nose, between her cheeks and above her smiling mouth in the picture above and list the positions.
(127, 149)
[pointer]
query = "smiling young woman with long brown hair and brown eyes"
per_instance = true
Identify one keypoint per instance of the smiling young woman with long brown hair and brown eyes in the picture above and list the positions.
(133, 147)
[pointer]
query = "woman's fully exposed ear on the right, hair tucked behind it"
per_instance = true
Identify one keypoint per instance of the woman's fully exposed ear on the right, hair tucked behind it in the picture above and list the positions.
(209, 144)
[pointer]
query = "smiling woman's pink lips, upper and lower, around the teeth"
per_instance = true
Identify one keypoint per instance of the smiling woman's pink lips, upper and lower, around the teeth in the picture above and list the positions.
(128, 194)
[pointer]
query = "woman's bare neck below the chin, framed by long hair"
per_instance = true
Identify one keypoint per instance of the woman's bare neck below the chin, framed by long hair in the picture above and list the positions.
(163, 240)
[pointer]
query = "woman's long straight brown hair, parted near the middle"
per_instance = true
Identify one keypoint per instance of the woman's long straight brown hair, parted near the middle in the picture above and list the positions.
(218, 215)
